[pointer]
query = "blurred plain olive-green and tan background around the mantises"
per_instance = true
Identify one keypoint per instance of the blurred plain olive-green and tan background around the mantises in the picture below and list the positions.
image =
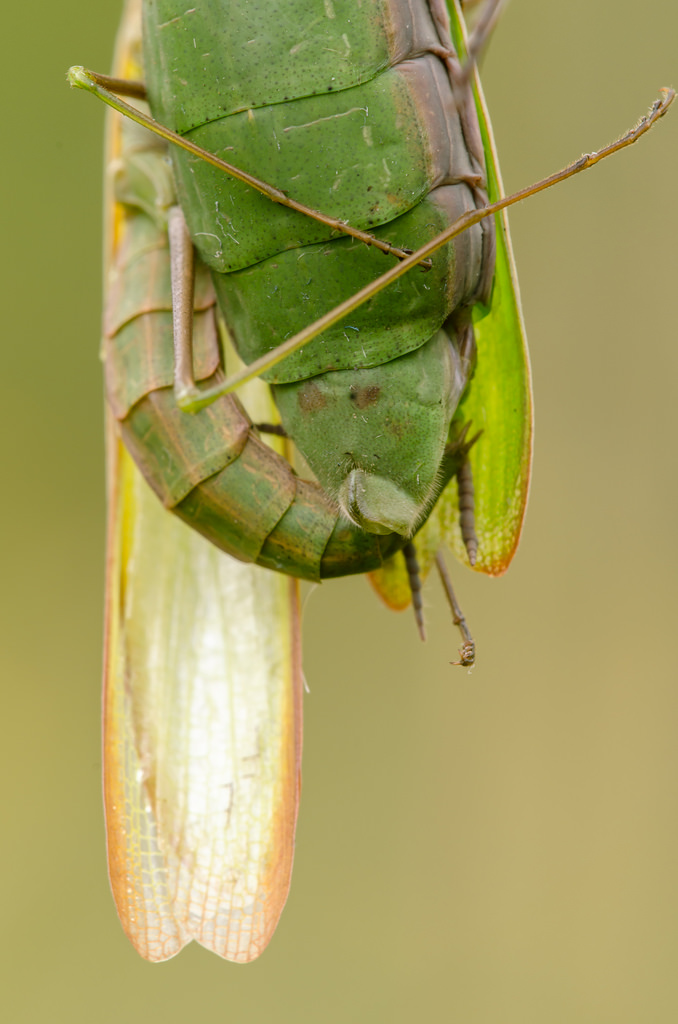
(486, 847)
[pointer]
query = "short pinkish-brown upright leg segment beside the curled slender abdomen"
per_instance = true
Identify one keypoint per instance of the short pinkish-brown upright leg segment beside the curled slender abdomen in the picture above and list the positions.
(182, 263)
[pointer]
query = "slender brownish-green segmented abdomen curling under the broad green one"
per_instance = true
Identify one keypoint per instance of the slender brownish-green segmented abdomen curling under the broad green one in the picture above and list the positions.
(213, 470)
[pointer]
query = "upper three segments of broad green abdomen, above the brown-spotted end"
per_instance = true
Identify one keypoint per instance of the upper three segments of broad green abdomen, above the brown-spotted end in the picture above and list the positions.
(353, 110)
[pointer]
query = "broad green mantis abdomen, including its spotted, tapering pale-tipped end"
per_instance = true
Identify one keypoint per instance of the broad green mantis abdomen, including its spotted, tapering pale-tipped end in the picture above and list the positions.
(360, 112)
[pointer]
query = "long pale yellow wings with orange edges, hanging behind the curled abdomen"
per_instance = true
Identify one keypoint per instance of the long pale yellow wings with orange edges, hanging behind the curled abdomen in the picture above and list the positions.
(202, 737)
